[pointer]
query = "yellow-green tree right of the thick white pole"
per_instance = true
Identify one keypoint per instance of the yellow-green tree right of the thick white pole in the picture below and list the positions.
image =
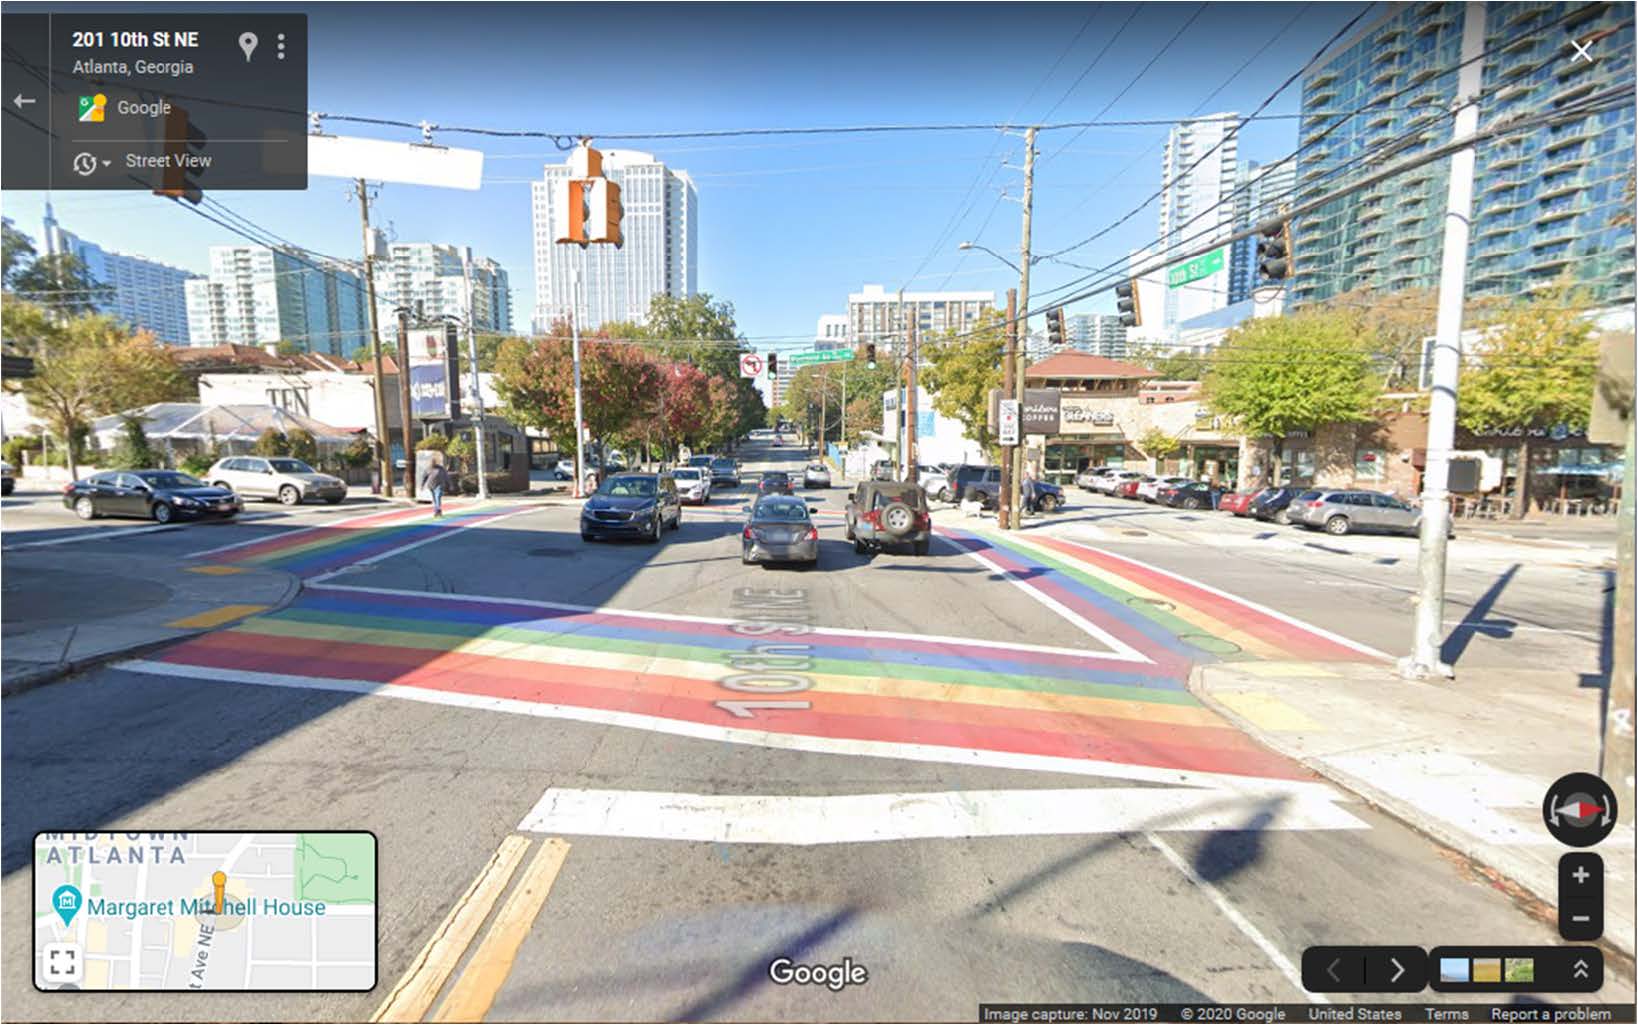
(1536, 368)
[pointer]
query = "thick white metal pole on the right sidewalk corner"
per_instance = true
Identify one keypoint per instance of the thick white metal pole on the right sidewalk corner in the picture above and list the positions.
(1429, 631)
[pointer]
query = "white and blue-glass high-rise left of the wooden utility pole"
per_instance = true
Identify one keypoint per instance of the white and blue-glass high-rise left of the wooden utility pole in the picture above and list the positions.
(258, 296)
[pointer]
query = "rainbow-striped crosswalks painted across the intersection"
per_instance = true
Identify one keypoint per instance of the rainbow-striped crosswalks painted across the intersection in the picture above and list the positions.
(1124, 708)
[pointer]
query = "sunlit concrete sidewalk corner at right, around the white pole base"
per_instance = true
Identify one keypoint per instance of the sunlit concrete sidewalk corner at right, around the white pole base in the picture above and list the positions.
(1465, 764)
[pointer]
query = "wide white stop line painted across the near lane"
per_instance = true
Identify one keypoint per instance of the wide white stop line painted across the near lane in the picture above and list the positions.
(915, 816)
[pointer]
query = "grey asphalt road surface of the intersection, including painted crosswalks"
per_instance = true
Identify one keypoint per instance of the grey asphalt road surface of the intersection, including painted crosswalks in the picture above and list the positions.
(995, 787)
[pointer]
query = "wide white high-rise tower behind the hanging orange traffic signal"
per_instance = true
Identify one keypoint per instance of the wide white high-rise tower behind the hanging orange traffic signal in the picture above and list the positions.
(661, 251)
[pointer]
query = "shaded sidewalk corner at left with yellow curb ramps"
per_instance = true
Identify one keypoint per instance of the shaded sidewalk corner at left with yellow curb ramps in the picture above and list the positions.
(70, 612)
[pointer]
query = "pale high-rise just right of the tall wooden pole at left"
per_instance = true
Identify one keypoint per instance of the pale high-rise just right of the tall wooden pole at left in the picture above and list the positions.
(433, 276)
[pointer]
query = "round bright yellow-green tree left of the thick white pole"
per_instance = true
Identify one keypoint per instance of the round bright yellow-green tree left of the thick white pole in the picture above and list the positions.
(1280, 374)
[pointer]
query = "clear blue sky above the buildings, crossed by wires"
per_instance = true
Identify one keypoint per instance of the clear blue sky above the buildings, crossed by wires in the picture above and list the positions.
(789, 225)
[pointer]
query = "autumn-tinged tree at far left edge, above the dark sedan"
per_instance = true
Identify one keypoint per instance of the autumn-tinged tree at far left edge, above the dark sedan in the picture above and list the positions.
(86, 368)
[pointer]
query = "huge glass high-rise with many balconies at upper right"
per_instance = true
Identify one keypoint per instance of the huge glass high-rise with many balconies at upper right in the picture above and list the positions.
(1545, 201)
